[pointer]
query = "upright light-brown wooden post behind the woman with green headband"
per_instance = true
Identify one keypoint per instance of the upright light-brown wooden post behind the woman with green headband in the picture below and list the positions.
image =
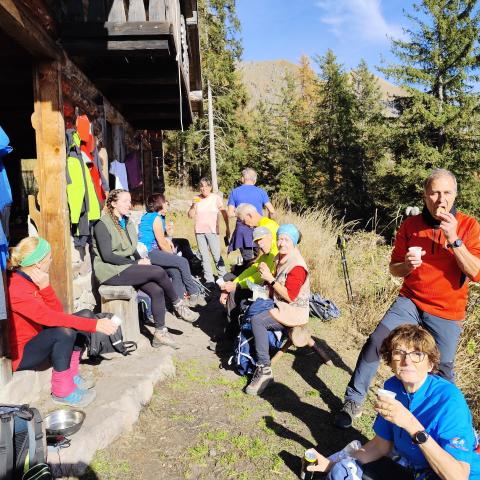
(54, 222)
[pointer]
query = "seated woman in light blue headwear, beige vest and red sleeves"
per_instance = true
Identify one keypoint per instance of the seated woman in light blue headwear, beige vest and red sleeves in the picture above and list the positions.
(290, 291)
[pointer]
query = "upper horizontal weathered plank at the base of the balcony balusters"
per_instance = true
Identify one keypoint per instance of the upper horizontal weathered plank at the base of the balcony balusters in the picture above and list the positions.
(114, 29)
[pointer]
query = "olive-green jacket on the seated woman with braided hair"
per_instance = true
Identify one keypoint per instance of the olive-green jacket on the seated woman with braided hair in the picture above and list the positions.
(121, 245)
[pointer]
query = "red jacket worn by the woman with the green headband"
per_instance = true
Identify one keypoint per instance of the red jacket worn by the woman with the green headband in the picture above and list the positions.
(33, 309)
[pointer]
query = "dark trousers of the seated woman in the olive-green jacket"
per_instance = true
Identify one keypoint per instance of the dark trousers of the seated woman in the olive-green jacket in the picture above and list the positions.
(154, 281)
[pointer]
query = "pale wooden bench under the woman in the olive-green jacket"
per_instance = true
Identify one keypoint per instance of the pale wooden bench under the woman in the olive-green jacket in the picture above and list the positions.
(122, 301)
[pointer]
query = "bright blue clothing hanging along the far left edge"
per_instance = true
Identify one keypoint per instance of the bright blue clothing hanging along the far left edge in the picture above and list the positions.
(5, 200)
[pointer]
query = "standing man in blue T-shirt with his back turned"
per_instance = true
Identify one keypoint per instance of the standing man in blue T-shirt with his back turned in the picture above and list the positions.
(249, 193)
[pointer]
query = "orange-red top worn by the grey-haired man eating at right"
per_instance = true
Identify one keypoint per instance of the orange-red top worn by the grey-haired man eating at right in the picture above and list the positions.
(438, 286)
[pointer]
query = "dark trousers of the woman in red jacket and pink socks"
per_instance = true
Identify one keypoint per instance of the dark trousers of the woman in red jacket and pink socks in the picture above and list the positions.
(55, 344)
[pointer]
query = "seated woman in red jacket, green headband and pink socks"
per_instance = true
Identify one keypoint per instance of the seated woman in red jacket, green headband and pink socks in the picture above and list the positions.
(40, 330)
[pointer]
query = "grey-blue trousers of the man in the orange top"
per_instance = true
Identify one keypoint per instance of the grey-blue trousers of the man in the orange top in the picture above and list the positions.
(403, 310)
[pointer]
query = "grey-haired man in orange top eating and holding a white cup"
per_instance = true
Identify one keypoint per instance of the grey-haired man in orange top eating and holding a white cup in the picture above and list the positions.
(435, 284)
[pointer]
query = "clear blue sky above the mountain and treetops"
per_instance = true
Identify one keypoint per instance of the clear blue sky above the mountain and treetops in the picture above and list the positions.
(353, 29)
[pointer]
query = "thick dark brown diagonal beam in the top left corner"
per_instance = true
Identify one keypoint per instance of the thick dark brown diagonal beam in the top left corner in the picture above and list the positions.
(25, 30)
